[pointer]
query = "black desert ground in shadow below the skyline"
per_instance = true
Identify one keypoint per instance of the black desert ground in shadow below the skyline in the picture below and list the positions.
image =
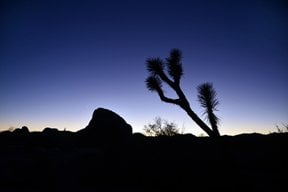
(65, 161)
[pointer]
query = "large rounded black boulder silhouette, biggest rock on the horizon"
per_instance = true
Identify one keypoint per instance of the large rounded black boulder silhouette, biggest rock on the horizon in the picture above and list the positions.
(106, 127)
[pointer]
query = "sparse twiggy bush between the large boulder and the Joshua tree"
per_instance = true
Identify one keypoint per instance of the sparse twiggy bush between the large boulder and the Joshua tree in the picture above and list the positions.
(161, 127)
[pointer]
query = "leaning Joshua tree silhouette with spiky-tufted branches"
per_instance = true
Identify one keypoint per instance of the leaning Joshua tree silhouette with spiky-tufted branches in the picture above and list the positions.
(158, 69)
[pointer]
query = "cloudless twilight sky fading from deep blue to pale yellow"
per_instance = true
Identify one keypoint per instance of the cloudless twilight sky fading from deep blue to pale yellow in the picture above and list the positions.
(60, 60)
